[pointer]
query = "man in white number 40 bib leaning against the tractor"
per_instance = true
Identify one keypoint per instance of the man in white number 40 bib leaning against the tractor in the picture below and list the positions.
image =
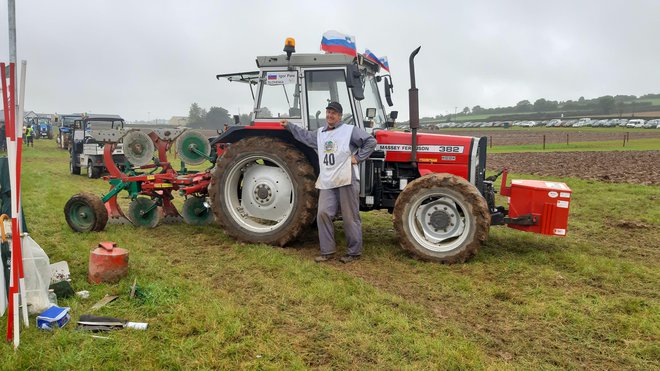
(340, 148)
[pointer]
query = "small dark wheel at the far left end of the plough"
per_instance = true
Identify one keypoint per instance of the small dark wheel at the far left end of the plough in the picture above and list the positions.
(85, 212)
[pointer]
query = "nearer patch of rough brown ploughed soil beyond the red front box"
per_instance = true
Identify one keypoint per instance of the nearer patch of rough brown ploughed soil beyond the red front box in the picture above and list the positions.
(637, 167)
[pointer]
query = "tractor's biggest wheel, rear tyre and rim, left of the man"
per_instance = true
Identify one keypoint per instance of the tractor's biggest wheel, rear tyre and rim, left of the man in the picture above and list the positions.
(262, 191)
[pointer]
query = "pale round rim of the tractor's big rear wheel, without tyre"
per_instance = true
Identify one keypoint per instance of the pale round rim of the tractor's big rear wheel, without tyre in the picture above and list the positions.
(253, 204)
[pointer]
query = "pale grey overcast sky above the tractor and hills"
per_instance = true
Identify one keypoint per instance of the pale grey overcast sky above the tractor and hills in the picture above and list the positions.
(153, 58)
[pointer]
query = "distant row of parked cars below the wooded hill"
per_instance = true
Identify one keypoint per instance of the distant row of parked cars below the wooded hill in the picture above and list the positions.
(583, 122)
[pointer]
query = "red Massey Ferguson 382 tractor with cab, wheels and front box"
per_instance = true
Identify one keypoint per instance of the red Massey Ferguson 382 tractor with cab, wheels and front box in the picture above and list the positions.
(262, 188)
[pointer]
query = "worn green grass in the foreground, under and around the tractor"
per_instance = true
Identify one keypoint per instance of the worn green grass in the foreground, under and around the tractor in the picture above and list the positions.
(589, 300)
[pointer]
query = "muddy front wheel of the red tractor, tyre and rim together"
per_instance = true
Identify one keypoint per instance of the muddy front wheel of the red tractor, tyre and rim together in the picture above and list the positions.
(441, 217)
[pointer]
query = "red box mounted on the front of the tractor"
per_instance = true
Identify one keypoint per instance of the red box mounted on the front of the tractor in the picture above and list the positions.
(549, 201)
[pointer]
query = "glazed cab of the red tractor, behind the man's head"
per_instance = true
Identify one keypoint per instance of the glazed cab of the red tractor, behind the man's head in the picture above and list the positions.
(300, 86)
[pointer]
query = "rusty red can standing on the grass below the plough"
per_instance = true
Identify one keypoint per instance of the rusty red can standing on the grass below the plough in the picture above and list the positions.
(107, 263)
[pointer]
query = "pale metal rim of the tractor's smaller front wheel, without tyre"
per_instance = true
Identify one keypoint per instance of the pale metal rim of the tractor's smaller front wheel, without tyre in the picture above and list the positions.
(439, 222)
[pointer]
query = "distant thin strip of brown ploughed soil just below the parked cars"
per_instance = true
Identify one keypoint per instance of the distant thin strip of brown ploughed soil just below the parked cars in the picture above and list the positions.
(506, 137)
